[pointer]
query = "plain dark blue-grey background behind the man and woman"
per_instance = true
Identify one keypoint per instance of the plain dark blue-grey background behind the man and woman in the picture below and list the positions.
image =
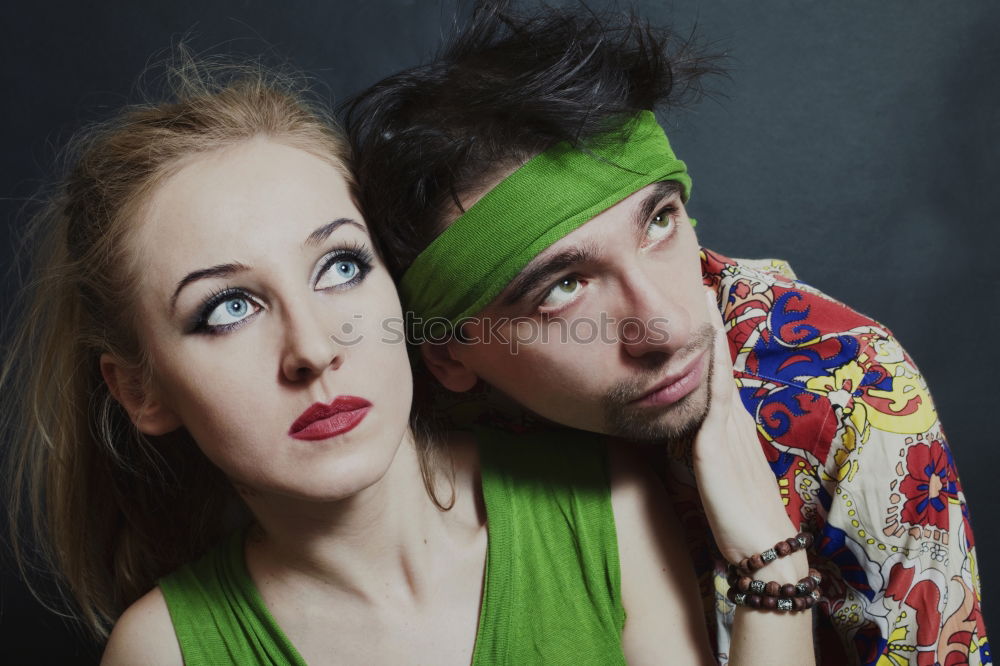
(857, 140)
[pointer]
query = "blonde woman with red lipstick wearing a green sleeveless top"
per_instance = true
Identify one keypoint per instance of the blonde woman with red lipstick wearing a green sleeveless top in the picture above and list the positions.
(206, 333)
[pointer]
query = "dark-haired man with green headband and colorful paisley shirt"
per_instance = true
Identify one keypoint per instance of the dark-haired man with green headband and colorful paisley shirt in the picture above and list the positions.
(530, 205)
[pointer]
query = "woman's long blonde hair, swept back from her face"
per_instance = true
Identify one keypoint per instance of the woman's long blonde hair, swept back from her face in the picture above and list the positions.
(106, 507)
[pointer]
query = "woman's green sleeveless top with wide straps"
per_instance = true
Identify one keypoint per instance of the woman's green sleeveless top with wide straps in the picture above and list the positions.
(552, 588)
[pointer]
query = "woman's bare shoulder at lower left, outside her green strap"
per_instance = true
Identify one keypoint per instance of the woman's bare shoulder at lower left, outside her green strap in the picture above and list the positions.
(144, 634)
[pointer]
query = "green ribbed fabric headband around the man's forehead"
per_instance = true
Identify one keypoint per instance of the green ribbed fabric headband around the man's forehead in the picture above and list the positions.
(554, 193)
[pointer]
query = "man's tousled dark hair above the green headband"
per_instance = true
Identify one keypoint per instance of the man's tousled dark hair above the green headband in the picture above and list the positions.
(505, 87)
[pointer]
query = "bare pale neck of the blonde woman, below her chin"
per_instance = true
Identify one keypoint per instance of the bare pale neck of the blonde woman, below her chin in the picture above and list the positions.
(387, 539)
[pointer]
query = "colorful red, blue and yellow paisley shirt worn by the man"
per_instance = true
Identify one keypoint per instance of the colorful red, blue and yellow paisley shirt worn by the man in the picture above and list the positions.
(851, 433)
